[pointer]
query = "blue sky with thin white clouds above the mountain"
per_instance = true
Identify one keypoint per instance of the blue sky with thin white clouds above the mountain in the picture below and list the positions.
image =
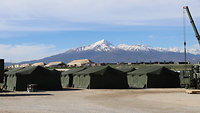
(31, 30)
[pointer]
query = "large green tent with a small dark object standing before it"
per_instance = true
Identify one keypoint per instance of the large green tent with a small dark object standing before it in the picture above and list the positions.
(44, 78)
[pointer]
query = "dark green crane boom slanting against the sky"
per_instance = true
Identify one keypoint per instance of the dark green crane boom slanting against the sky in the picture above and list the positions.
(193, 24)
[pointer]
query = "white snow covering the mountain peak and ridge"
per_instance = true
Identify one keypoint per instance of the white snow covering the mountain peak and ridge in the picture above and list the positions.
(104, 45)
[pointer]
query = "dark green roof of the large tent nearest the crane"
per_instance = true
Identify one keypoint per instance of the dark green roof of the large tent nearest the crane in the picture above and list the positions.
(151, 70)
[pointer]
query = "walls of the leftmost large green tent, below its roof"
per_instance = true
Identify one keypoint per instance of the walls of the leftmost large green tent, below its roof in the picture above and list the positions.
(45, 82)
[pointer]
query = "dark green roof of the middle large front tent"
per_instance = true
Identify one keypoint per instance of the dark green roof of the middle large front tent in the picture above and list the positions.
(99, 70)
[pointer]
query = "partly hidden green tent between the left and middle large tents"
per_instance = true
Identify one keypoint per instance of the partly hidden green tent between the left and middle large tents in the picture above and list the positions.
(67, 76)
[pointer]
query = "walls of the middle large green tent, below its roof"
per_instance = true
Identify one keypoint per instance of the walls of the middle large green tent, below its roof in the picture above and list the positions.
(95, 81)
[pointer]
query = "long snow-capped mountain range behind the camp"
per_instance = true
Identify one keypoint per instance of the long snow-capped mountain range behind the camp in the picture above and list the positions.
(104, 51)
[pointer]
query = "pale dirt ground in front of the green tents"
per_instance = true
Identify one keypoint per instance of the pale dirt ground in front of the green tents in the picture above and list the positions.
(100, 101)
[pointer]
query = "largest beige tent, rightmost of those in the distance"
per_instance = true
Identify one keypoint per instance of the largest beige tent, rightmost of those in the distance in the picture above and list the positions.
(80, 62)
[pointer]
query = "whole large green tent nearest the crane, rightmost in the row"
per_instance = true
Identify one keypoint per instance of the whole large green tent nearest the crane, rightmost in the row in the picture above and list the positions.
(153, 77)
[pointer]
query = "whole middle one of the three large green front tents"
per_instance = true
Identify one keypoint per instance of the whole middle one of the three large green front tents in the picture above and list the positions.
(100, 77)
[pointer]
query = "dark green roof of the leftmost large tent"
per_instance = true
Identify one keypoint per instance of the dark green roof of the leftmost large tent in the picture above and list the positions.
(33, 69)
